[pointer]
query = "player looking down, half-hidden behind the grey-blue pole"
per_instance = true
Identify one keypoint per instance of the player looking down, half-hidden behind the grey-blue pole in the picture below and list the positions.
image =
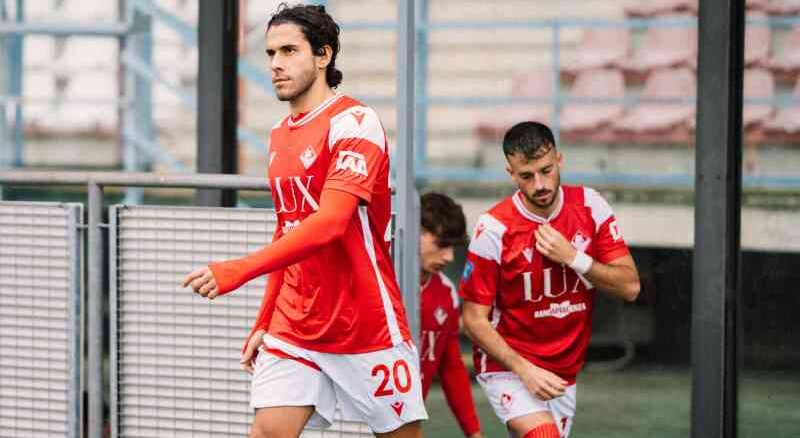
(443, 227)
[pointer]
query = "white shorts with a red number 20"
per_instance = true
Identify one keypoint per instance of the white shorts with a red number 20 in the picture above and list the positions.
(381, 388)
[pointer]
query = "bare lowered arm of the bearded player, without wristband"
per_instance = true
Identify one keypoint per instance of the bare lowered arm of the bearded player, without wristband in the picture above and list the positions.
(540, 382)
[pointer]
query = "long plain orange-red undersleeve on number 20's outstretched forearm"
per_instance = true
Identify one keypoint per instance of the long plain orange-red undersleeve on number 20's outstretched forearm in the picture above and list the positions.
(317, 230)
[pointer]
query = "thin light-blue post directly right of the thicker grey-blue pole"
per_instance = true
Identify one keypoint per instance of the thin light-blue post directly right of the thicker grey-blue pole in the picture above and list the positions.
(421, 86)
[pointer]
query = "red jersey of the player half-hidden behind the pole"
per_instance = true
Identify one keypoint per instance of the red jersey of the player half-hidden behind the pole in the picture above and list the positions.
(441, 353)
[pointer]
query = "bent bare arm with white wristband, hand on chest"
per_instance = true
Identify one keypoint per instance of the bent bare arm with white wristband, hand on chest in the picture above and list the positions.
(617, 277)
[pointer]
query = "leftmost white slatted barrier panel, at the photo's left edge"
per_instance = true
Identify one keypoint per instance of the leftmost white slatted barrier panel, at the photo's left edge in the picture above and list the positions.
(40, 331)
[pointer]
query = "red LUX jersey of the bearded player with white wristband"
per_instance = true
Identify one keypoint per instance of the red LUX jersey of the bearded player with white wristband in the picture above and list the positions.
(542, 309)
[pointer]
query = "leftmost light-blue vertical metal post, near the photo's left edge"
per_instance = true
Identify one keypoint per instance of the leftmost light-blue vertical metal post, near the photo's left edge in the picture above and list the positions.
(15, 89)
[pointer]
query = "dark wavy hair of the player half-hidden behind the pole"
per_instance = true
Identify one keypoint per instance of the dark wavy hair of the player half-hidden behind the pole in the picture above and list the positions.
(444, 218)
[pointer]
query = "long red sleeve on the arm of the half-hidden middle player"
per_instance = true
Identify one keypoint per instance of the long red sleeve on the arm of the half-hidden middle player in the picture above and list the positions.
(457, 387)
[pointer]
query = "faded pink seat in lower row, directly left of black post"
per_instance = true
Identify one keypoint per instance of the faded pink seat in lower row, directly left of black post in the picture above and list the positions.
(651, 121)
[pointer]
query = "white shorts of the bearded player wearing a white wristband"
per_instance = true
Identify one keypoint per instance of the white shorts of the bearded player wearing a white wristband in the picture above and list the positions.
(511, 399)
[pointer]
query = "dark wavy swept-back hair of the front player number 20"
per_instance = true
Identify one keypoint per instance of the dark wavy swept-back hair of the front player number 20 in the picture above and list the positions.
(319, 29)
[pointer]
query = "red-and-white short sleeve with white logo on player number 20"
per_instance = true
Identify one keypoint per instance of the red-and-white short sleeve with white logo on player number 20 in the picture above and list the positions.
(358, 151)
